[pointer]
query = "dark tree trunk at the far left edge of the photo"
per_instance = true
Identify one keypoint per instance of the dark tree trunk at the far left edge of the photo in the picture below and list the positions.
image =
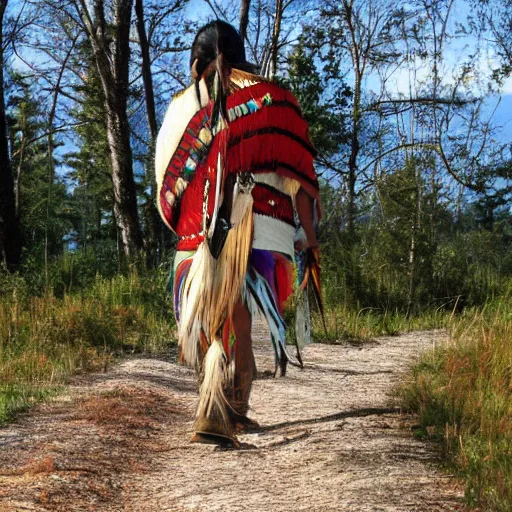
(10, 237)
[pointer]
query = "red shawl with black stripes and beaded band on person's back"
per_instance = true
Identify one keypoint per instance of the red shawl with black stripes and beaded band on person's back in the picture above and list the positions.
(266, 133)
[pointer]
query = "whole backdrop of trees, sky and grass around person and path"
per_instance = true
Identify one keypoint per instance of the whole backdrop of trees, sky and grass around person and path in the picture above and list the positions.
(409, 106)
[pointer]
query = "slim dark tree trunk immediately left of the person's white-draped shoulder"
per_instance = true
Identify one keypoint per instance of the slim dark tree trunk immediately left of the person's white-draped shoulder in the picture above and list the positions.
(154, 225)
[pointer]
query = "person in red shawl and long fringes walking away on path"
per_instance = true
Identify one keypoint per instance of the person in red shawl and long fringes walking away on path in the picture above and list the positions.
(234, 170)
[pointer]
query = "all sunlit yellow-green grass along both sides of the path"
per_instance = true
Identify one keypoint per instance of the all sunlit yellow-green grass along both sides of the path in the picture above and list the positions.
(462, 391)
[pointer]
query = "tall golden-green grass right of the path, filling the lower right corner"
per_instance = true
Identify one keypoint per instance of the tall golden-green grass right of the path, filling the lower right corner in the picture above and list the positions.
(462, 393)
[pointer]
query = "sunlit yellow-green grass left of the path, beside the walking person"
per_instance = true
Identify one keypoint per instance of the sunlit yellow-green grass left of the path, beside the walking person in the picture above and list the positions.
(44, 340)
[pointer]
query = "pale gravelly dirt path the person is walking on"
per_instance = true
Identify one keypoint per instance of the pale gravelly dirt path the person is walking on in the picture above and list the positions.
(329, 442)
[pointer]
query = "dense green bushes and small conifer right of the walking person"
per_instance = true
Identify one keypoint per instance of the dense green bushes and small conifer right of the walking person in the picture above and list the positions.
(456, 262)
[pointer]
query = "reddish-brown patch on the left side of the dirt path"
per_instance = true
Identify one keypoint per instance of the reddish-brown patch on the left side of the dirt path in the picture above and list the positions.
(97, 438)
